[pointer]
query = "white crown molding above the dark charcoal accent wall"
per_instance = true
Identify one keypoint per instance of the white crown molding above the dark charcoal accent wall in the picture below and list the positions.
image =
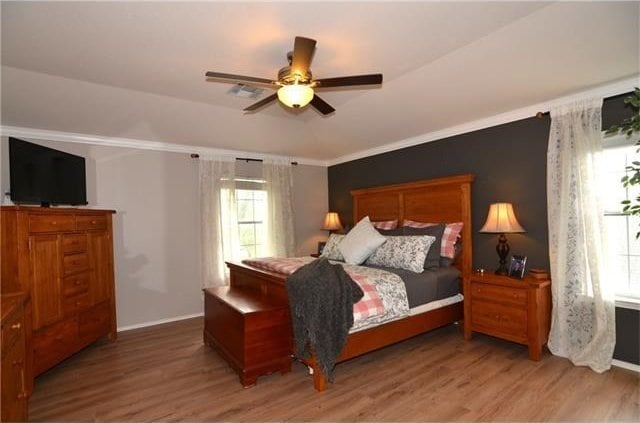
(608, 90)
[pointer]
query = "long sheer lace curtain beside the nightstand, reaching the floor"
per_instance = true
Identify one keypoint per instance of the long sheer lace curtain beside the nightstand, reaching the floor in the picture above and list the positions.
(582, 324)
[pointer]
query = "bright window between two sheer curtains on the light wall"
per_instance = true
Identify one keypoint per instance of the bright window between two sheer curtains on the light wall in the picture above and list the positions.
(252, 207)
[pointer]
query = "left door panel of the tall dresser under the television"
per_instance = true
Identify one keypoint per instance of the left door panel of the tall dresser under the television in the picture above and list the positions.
(45, 279)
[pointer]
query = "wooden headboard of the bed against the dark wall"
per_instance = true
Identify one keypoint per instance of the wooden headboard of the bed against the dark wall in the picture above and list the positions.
(435, 200)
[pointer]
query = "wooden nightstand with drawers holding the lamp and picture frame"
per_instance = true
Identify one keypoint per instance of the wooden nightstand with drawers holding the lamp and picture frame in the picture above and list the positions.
(517, 310)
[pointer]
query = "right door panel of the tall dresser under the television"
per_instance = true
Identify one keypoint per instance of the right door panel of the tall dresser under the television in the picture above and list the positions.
(101, 259)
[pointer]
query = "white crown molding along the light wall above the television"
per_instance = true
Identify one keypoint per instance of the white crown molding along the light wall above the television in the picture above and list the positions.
(49, 135)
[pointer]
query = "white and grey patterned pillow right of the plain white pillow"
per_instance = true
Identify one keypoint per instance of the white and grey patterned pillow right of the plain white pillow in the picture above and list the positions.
(402, 252)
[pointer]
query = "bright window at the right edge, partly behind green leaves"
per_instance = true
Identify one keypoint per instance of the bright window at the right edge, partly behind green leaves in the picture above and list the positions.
(621, 228)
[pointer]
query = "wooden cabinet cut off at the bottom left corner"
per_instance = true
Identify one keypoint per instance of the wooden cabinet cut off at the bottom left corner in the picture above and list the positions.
(14, 382)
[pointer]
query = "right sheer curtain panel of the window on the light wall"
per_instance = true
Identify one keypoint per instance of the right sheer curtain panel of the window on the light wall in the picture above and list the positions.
(278, 178)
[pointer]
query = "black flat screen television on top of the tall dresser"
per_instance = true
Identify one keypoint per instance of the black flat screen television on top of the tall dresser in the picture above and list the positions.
(41, 175)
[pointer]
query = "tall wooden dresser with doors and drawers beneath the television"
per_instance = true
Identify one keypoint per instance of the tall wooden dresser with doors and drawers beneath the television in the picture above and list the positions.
(62, 258)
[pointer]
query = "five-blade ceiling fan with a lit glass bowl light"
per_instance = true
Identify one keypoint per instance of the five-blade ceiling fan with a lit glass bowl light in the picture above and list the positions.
(295, 83)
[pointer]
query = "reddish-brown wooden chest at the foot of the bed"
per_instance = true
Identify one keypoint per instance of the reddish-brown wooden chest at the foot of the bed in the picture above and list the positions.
(251, 332)
